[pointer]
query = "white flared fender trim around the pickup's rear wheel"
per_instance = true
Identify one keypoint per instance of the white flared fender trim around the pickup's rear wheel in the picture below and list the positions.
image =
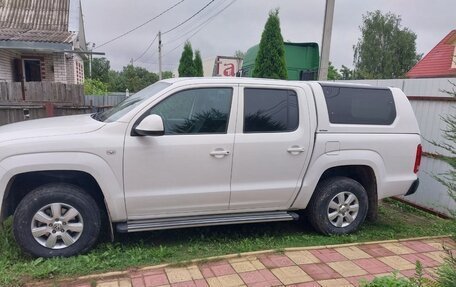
(345, 157)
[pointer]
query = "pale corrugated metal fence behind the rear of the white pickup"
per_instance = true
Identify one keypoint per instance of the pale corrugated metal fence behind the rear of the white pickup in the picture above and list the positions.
(430, 102)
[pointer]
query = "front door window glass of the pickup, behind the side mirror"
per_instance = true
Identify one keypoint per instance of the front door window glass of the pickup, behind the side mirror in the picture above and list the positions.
(196, 111)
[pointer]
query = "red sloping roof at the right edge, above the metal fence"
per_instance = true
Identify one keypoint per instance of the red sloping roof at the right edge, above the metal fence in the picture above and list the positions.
(439, 62)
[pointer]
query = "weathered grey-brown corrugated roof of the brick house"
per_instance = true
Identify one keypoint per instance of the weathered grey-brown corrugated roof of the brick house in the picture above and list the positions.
(36, 20)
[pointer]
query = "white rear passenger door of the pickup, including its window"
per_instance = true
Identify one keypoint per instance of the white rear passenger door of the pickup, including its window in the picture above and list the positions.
(272, 147)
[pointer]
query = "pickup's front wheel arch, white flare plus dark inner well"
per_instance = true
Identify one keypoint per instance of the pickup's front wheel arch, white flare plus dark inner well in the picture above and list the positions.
(22, 173)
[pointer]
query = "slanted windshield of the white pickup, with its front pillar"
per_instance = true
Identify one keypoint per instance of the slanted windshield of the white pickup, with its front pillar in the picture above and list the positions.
(130, 103)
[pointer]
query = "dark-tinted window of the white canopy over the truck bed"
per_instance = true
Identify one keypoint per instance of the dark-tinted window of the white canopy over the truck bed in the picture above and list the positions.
(365, 106)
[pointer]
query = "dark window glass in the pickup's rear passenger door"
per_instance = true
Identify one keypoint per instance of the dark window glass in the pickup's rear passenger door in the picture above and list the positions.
(270, 110)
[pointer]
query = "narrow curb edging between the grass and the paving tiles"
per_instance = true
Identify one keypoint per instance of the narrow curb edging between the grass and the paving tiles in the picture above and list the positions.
(109, 275)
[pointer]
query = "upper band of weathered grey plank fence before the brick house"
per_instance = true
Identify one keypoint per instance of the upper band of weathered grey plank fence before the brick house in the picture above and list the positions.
(16, 92)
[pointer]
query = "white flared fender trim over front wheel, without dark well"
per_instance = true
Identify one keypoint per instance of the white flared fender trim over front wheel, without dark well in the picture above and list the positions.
(110, 184)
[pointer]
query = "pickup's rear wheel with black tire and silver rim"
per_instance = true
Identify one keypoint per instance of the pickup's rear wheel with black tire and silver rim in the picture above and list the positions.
(338, 206)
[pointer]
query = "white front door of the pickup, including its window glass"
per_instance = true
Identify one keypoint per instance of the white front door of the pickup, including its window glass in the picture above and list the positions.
(187, 170)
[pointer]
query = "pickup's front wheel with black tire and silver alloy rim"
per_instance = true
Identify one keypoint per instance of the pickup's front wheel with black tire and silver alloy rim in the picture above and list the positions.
(65, 221)
